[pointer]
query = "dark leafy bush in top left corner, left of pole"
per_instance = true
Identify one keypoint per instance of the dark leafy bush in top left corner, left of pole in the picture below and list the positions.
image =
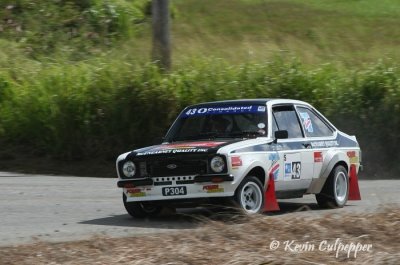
(70, 27)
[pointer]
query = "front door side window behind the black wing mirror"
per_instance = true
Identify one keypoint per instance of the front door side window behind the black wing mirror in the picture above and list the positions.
(286, 119)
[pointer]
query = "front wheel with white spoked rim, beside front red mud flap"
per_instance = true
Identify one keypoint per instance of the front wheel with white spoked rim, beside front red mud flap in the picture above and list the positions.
(249, 196)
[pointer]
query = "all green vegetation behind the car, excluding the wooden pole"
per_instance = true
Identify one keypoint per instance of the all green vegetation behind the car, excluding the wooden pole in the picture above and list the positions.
(75, 81)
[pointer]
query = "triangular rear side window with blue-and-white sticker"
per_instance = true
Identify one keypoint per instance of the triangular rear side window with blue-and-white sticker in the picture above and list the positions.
(312, 124)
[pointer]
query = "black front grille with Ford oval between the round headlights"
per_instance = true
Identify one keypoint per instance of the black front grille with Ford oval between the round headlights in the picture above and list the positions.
(173, 167)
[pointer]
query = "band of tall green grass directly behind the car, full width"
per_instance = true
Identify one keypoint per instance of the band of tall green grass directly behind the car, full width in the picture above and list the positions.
(102, 107)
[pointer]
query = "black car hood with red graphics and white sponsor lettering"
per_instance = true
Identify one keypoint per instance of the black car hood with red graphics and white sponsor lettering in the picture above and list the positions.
(188, 147)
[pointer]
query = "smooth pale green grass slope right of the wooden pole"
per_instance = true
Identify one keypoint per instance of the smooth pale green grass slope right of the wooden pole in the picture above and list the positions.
(342, 32)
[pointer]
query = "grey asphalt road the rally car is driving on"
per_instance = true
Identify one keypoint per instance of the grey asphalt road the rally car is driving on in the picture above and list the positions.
(62, 208)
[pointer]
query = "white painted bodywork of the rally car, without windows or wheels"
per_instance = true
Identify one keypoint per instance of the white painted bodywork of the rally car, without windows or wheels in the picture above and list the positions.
(309, 167)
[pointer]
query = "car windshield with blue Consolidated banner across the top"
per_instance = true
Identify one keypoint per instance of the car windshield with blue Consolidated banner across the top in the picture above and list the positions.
(219, 122)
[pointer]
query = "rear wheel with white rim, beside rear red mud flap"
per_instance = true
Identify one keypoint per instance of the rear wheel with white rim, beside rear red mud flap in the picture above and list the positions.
(335, 192)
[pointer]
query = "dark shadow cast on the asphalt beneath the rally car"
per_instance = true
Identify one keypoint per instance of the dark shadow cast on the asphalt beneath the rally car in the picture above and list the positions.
(194, 217)
